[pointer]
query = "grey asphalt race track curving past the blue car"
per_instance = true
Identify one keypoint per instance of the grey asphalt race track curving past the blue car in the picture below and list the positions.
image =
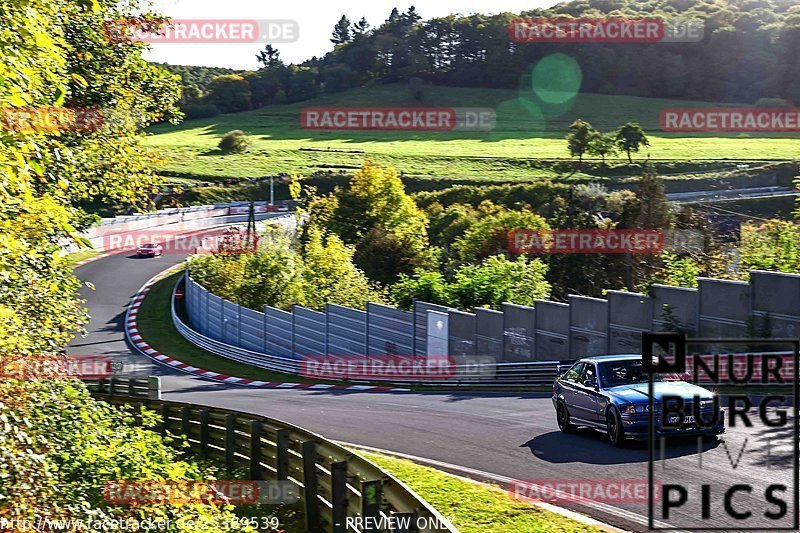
(497, 435)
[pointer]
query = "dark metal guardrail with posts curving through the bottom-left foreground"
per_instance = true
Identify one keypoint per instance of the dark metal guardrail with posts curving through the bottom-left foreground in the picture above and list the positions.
(335, 483)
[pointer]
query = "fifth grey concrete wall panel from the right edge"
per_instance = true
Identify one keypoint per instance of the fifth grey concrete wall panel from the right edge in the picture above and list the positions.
(588, 319)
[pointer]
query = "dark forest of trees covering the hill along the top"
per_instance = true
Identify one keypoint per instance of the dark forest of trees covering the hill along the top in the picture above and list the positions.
(749, 51)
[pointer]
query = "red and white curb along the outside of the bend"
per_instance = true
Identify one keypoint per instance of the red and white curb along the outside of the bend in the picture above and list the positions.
(135, 338)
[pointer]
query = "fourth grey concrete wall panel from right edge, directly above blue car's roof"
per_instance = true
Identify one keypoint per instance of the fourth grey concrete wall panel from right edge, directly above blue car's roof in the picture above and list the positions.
(629, 314)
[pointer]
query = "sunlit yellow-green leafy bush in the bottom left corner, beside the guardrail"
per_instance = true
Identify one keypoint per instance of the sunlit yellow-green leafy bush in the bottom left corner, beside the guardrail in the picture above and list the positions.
(59, 448)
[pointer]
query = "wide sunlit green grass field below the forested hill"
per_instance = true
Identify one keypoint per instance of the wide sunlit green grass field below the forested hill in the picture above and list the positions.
(281, 145)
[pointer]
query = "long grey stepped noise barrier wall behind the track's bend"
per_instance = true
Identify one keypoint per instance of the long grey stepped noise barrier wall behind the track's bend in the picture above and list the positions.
(766, 306)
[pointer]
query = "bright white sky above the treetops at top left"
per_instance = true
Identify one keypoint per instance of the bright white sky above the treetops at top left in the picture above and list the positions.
(315, 18)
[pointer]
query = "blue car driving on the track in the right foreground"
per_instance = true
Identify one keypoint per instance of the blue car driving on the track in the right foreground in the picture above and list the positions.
(610, 393)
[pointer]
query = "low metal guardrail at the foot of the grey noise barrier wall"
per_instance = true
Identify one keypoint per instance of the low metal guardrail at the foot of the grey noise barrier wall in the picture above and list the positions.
(505, 375)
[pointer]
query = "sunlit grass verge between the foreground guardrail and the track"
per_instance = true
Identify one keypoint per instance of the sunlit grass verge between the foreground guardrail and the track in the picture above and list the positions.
(474, 507)
